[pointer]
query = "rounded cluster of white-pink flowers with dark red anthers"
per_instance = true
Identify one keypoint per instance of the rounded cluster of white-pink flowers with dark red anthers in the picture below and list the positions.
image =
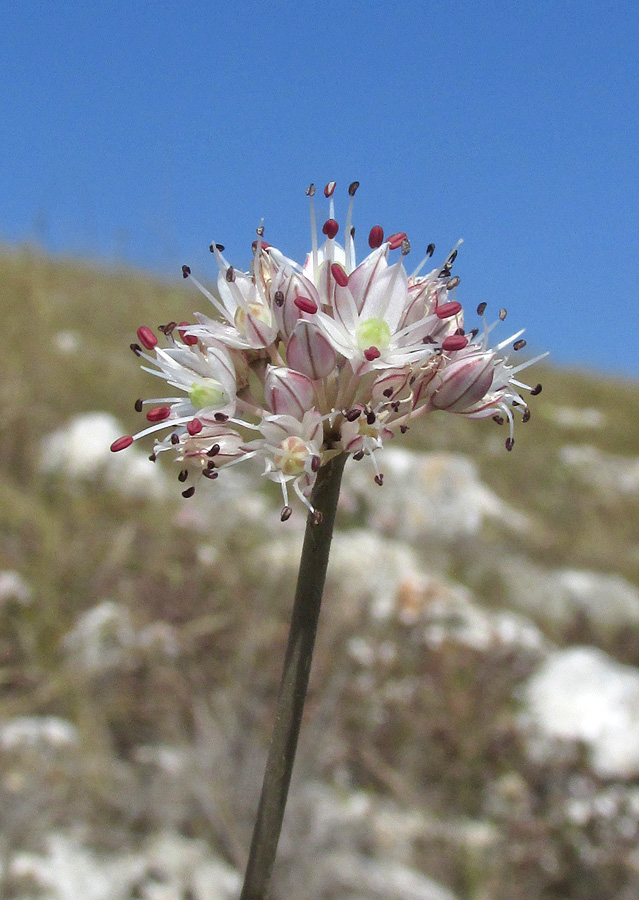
(300, 362)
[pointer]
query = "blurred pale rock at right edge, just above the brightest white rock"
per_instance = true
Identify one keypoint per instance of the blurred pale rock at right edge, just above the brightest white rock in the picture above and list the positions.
(563, 596)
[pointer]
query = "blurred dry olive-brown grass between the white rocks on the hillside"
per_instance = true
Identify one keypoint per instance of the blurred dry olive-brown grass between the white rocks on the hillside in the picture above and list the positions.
(78, 544)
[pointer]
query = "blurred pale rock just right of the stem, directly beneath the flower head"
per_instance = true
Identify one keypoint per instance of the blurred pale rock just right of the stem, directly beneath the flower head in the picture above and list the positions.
(425, 496)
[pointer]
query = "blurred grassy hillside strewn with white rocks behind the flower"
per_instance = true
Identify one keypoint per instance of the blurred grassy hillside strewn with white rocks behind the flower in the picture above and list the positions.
(472, 730)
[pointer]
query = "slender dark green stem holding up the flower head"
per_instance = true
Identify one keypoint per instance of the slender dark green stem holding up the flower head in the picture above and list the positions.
(297, 666)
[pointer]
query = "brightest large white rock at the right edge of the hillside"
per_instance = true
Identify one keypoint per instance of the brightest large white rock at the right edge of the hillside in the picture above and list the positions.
(581, 694)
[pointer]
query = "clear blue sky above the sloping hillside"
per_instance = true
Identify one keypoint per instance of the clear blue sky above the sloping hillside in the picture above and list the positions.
(140, 131)
